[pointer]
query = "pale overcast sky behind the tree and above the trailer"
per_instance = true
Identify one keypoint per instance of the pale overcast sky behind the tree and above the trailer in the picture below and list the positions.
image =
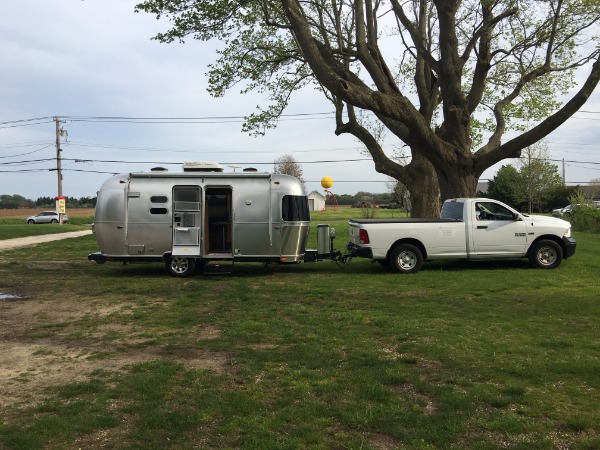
(95, 58)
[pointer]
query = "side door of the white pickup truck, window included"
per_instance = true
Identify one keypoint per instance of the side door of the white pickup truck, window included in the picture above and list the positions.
(495, 232)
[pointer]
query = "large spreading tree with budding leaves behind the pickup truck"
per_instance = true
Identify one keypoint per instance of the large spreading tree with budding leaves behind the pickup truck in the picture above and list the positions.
(448, 78)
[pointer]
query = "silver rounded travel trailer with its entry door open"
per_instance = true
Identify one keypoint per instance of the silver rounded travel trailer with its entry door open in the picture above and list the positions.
(202, 214)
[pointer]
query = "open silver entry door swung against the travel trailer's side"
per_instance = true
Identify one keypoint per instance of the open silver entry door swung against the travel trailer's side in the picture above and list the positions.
(187, 221)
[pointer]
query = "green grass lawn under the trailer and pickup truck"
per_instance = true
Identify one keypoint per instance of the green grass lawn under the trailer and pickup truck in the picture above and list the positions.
(459, 355)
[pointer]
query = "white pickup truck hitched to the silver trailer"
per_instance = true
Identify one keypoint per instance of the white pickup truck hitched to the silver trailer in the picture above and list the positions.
(469, 228)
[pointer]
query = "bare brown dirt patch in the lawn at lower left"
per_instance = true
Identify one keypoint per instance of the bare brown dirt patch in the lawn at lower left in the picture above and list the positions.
(37, 349)
